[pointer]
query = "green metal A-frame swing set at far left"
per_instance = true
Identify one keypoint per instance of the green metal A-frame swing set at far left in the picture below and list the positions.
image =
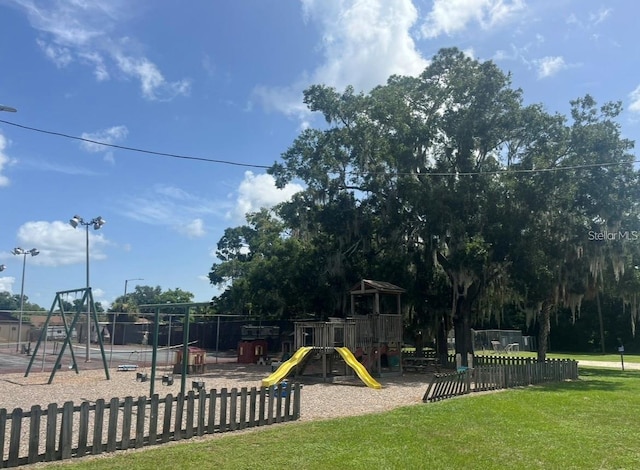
(85, 307)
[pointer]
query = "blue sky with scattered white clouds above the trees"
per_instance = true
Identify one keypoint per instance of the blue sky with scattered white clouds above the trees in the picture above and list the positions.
(221, 83)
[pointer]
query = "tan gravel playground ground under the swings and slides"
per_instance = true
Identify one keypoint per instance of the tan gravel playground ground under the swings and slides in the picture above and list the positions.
(319, 401)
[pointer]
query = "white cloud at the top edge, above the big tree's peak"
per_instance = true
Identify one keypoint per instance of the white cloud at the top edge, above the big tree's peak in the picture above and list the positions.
(452, 16)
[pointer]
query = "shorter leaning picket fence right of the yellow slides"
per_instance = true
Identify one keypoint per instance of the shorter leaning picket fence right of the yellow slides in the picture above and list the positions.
(495, 377)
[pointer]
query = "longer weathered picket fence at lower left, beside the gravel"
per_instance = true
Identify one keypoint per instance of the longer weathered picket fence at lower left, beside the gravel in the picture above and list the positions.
(68, 431)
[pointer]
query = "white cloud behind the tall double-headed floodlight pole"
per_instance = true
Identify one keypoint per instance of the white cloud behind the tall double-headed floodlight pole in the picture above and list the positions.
(59, 243)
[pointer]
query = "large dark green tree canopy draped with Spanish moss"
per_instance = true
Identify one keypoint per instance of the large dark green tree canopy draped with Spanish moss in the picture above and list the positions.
(448, 185)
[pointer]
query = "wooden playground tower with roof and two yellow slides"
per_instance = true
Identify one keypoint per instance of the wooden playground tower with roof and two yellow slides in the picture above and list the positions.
(367, 344)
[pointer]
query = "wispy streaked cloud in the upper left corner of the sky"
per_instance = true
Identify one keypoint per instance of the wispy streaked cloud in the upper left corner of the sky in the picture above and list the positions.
(86, 30)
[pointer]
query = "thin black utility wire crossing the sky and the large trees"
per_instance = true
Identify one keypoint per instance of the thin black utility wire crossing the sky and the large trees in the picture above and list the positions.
(249, 165)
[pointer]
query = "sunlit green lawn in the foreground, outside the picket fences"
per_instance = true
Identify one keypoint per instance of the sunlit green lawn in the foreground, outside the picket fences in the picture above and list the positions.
(587, 424)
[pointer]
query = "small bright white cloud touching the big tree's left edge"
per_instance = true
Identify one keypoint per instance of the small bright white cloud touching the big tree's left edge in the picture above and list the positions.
(259, 191)
